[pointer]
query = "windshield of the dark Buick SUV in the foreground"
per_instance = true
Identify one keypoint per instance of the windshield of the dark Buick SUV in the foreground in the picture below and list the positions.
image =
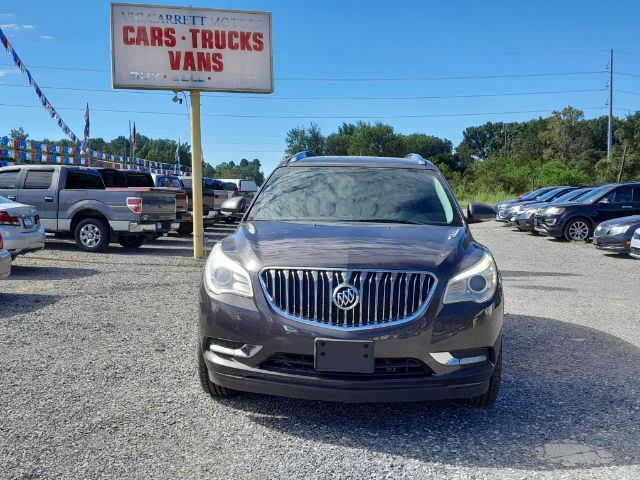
(355, 194)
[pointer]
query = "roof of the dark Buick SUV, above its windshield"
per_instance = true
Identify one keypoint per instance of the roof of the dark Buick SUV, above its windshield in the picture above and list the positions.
(411, 161)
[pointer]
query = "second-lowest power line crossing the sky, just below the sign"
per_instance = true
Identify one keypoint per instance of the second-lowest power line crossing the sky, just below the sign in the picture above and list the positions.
(271, 98)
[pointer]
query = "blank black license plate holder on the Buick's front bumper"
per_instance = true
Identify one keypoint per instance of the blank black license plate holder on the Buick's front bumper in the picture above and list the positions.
(346, 356)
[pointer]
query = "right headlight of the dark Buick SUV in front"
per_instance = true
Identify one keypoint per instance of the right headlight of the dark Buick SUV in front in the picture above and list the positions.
(475, 284)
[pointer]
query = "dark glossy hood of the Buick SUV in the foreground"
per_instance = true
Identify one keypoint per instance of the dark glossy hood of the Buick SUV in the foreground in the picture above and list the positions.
(442, 249)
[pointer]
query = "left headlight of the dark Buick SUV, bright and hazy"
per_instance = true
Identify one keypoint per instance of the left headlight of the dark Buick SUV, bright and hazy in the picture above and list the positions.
(223, 275)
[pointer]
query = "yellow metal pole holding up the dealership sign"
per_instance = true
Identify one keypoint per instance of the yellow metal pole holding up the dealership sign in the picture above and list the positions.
(196, 173)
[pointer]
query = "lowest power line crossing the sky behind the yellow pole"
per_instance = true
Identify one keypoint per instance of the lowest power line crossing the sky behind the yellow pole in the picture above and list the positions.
(304, 117)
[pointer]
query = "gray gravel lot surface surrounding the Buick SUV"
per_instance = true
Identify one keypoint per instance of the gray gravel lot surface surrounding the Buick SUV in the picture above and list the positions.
(98, 379)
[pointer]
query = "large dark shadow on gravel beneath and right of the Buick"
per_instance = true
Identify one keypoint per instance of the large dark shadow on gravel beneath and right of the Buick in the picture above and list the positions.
(567, 401)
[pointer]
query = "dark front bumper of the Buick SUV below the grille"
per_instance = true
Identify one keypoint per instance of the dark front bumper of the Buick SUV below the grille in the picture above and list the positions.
(440, 329)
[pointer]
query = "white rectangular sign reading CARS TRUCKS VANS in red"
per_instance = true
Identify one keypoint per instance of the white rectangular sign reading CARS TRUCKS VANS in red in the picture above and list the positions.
(180, 48)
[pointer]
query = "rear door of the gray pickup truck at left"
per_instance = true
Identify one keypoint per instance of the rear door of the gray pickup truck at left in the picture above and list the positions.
(38, 190)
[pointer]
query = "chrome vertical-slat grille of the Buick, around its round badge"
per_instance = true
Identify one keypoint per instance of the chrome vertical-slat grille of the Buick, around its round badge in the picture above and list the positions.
(385, 296)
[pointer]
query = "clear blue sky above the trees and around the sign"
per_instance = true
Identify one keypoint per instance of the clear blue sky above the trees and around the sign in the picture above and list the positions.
(66, 45)
